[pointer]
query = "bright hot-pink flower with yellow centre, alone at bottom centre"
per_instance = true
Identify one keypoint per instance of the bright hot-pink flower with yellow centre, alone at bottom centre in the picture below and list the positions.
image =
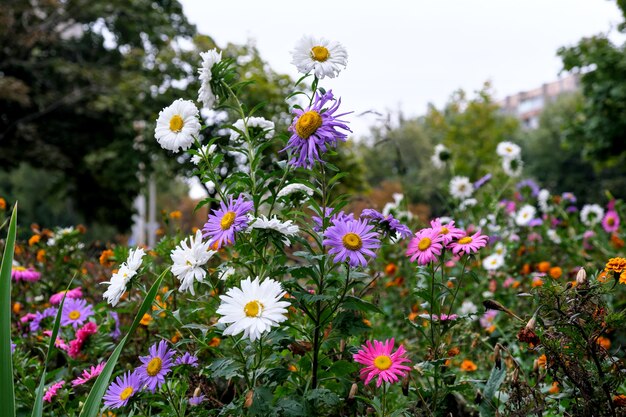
(380, 362)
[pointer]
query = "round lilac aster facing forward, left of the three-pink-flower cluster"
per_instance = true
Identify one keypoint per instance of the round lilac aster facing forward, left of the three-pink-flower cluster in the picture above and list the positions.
(350, 240)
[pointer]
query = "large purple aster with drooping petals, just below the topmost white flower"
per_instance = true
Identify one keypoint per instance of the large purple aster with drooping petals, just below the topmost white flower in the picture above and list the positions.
(314, 130)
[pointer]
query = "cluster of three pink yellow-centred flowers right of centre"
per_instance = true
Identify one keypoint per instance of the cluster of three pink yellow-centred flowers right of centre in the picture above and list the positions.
(429, 243)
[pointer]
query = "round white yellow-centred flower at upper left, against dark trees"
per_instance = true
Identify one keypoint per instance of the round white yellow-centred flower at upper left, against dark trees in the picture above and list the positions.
(177, 125)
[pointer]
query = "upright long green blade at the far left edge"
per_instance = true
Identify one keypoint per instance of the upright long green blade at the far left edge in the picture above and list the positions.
(7, 393)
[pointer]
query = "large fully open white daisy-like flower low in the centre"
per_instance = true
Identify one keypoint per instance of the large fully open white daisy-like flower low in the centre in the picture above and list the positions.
(254, 309)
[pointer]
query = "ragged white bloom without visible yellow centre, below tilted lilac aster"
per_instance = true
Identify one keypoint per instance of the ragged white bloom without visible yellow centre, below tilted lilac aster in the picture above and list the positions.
(188, 260)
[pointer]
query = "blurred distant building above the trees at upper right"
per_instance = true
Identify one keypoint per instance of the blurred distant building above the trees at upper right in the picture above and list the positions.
(526, 106)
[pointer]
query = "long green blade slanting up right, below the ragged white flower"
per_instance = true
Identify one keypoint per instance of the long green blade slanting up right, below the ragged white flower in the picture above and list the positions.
(92, 404)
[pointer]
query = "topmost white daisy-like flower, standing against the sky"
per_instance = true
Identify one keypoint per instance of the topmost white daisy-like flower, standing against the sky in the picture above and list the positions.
(323, 57)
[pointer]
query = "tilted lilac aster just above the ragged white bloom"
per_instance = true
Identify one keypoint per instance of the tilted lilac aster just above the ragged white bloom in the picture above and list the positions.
(227, 220)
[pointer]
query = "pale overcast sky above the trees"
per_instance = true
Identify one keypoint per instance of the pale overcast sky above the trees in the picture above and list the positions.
(405, 54)
